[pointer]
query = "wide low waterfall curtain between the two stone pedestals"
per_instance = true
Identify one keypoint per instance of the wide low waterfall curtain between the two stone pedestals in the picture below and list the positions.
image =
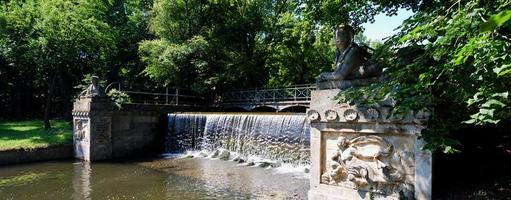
(283, 137)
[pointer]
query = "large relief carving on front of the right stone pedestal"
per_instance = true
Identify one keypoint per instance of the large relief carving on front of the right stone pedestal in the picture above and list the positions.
(363, 162)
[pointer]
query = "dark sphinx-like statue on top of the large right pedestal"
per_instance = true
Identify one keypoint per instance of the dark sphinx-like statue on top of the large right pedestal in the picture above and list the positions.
(351, 60)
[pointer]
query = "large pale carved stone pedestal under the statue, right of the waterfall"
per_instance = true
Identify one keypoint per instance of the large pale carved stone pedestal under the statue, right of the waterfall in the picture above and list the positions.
(366, 153)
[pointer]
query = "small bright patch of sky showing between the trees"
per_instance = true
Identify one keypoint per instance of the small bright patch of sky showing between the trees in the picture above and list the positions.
(384, 26)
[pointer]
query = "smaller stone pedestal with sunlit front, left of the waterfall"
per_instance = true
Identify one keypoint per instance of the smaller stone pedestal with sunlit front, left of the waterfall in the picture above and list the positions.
(92, 125)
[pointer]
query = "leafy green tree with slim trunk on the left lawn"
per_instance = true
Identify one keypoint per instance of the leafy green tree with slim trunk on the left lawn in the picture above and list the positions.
(45, 40)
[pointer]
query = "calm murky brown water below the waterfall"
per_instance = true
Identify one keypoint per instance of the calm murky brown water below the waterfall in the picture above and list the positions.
(193, 178)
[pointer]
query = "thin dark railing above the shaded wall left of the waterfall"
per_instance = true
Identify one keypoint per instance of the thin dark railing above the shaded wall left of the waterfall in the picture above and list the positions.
(171, 96)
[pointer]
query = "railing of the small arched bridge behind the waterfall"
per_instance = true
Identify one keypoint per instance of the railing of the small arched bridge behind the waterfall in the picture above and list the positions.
(296, 93)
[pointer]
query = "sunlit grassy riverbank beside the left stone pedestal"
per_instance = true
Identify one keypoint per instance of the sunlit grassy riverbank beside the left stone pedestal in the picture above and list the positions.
(28, 141)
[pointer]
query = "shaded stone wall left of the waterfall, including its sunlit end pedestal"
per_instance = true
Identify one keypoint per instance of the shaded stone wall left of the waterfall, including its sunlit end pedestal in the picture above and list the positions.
(102, 131)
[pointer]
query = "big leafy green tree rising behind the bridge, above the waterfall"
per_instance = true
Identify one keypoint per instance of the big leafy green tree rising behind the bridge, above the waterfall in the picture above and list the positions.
(198, 42)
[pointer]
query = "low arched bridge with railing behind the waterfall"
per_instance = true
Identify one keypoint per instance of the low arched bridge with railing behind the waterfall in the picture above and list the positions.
(263, 99)
